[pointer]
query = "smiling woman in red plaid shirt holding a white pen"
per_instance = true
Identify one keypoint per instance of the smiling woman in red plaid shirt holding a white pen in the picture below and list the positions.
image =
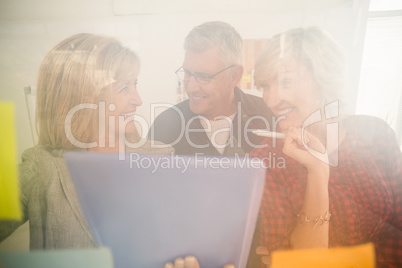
(341, 183)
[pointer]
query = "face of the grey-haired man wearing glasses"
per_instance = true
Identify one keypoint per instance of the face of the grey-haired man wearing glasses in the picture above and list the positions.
(215, 98)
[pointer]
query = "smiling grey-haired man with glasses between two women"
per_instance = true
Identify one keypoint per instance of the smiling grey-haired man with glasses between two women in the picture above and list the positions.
(217, 118)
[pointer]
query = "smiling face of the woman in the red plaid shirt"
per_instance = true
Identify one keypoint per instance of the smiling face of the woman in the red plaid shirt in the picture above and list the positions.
(292, 94)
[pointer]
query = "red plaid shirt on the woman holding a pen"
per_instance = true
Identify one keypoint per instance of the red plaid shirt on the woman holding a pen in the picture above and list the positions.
(365, 192)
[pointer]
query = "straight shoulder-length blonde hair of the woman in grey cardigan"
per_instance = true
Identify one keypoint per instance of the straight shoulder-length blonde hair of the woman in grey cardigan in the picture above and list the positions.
(76, 71)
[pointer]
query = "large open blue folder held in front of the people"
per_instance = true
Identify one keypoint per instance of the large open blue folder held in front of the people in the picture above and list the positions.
(150, 209)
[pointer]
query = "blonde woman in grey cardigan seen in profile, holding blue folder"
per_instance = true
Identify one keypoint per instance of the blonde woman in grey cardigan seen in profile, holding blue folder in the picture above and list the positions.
(86, 100)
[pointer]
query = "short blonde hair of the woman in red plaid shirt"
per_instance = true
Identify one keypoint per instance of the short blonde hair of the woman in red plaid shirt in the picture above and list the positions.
(313, 48)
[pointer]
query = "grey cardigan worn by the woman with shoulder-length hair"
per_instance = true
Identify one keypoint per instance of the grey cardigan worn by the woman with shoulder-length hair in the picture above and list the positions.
(50, 203)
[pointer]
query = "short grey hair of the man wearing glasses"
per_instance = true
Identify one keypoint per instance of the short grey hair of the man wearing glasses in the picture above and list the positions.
(212, 33)
